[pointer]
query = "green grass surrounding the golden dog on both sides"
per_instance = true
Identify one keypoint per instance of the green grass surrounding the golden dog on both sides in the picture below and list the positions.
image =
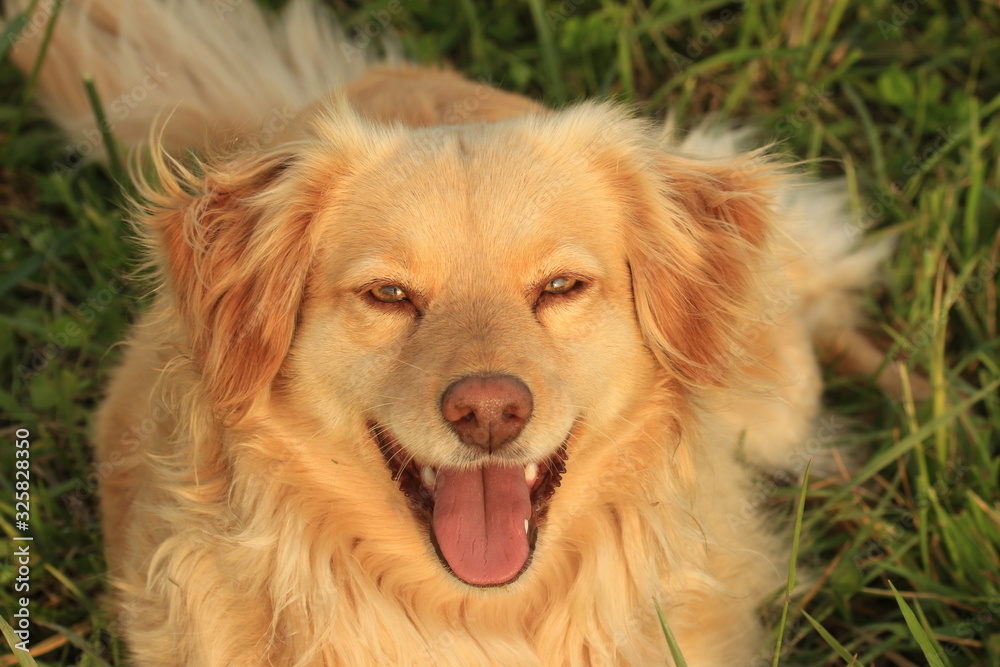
(907, 112)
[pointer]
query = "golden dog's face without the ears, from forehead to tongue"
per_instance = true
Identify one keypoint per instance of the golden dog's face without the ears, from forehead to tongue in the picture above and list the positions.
(472, 303)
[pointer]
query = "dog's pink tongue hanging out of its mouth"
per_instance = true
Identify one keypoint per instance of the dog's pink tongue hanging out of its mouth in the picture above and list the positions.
(479, 519)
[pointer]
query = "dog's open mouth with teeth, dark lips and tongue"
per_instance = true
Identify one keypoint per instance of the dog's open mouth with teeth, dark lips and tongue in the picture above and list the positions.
(483, 522)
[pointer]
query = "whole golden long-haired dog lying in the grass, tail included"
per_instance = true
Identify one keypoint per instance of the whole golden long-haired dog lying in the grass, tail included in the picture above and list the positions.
(435, 375)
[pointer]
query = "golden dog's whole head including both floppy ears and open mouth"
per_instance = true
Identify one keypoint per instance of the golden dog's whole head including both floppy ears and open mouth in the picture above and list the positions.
(481, 307)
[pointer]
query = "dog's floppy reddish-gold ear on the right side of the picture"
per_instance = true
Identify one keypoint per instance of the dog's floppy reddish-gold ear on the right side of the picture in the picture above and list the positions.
(694, 248)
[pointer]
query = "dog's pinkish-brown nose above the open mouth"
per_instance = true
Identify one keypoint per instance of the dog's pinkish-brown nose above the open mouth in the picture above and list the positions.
(487, 412)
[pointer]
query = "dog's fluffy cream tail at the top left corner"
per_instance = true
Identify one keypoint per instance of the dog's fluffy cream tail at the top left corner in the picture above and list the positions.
(200, 69)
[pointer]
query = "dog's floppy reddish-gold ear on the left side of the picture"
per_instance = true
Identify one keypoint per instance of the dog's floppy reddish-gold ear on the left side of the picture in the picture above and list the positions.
(235, 242)
